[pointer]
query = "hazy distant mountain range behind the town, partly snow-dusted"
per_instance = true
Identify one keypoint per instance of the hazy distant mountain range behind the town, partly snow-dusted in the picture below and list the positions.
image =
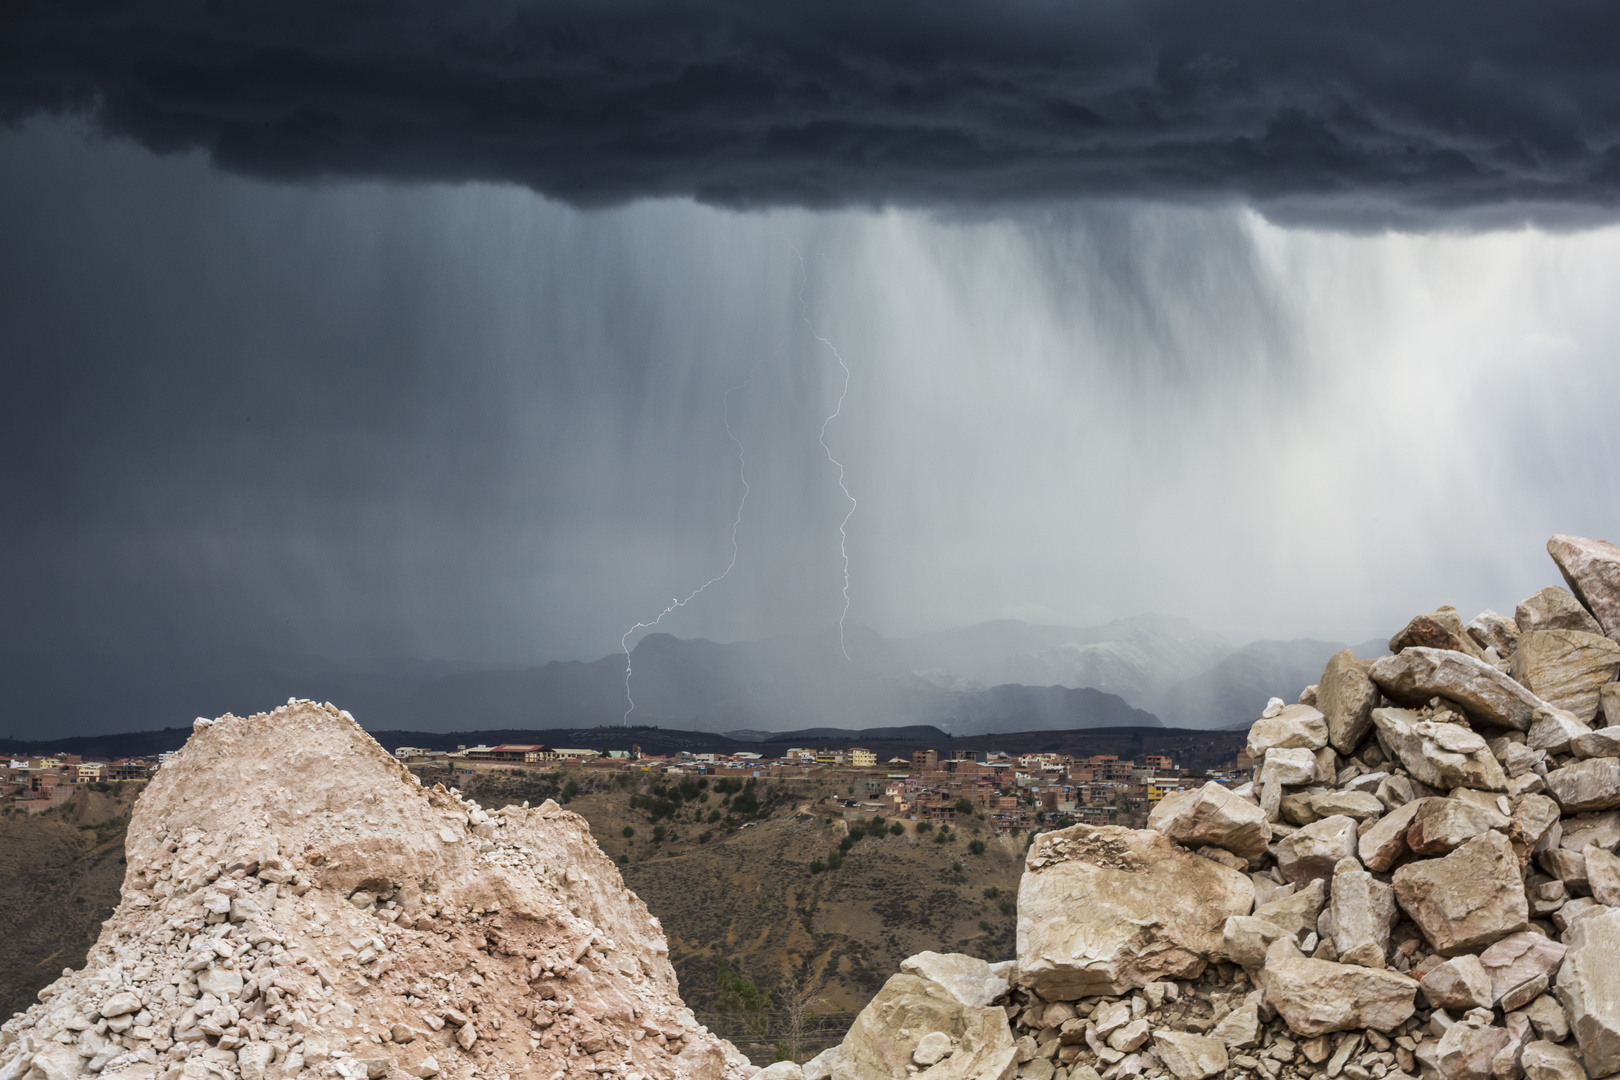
(992, 678)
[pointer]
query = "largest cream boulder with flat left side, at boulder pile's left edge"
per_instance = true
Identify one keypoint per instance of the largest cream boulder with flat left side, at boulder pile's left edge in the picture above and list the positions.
(1104, 911)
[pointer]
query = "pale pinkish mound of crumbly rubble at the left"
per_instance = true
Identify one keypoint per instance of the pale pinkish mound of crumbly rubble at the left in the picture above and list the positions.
(299, 906)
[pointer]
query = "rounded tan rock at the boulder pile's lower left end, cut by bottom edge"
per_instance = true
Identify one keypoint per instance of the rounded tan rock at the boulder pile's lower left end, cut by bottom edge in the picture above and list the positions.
(908, 1010)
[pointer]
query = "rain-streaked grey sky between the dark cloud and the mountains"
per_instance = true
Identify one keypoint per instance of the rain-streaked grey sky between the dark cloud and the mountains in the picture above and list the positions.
(467, 422)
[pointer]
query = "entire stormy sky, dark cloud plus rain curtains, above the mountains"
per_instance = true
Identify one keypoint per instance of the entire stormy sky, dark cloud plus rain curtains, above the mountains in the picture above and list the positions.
(424, 347)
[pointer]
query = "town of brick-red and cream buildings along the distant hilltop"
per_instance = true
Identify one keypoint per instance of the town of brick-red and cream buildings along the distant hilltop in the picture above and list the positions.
(1012, 793)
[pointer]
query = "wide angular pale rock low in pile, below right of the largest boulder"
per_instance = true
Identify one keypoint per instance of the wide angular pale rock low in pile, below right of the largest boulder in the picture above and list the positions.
(1318, 997)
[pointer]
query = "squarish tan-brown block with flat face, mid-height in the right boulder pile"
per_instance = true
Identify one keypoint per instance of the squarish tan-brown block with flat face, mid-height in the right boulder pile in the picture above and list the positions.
(1469, 899)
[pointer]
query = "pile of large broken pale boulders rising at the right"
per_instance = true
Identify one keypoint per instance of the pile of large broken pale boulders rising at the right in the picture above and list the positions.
(1422, 880)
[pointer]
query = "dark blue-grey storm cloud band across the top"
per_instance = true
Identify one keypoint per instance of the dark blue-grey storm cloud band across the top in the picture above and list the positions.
(1407, 114)
